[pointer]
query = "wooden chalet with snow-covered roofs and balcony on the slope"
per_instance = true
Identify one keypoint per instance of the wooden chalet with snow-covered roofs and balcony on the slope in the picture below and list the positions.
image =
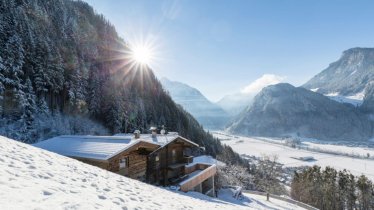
(159, 159)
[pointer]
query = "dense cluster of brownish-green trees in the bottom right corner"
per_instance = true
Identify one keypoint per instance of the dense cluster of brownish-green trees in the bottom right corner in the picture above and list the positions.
(331, 189)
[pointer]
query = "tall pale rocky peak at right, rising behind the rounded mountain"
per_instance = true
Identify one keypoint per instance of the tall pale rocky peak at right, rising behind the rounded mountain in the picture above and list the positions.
(348, 76)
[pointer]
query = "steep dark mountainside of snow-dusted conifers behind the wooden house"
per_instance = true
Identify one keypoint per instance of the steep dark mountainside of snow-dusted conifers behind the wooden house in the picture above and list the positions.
(62, 65)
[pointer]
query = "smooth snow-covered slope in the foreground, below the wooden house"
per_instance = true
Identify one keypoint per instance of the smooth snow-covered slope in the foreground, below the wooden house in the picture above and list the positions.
(32, 178)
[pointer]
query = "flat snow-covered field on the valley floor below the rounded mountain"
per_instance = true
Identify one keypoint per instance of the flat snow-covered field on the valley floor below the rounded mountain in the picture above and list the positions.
(257, 147)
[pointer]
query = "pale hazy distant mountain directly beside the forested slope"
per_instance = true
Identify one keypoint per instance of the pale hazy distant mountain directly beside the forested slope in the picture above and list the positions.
(191, 99)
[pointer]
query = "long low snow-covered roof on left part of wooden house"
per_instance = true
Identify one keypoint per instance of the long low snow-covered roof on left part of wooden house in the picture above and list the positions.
(94, 147)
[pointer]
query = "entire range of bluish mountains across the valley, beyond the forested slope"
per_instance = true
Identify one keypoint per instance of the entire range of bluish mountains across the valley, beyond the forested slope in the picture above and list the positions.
(335, 105)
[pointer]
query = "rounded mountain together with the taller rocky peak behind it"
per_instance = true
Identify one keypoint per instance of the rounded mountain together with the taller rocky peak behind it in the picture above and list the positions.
(307, 111)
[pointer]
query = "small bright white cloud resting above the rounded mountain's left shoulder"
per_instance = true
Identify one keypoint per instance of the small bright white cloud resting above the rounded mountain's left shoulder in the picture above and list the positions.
(258, 84)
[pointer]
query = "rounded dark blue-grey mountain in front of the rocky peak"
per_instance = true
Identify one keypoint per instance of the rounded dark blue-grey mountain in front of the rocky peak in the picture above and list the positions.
(282, 109)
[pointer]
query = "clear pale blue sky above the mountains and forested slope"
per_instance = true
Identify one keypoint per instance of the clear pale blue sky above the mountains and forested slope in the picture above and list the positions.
(221, 47)
